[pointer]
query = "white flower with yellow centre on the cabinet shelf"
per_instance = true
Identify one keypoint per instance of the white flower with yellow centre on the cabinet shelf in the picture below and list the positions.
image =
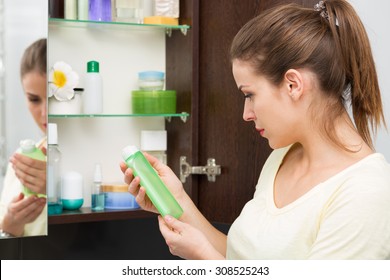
(62, 81)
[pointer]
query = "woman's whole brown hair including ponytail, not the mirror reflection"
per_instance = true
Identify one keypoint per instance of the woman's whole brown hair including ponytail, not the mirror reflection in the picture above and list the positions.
(332, 43)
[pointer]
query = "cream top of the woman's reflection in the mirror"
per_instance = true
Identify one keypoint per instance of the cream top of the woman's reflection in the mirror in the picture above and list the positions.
(12, 188)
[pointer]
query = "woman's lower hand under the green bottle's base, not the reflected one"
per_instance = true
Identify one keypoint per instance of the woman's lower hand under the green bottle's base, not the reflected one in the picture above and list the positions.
(185, 240)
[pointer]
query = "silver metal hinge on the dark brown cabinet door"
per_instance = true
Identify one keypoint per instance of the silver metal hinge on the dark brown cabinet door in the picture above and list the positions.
(211, 169)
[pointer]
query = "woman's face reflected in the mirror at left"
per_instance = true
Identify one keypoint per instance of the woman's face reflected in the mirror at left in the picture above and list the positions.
(34, 86)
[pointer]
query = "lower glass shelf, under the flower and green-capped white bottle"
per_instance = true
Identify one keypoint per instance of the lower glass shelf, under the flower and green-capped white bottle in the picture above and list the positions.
(183, 116)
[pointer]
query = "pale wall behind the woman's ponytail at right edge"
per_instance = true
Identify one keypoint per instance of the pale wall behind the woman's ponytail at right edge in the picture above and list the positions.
(374, 15)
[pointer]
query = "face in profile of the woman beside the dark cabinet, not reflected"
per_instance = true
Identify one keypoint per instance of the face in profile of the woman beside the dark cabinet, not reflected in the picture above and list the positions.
(267, 105)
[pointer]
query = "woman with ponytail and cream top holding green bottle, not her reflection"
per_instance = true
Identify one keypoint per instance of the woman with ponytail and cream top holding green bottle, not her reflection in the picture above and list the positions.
(323, 193)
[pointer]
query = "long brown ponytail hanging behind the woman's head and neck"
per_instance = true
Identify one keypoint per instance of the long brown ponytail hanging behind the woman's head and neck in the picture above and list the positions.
(361, 77)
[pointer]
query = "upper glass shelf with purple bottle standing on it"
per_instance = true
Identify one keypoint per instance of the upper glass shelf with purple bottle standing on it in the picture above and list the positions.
(87, 23)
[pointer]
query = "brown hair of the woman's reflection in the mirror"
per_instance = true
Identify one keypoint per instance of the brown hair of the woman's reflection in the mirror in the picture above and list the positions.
(34, 58)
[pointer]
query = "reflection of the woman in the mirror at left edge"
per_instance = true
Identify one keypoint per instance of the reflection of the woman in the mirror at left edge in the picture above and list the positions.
(20, 215)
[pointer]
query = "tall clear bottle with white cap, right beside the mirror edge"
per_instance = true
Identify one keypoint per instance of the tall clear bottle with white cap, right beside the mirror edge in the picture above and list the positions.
(53, 172)
